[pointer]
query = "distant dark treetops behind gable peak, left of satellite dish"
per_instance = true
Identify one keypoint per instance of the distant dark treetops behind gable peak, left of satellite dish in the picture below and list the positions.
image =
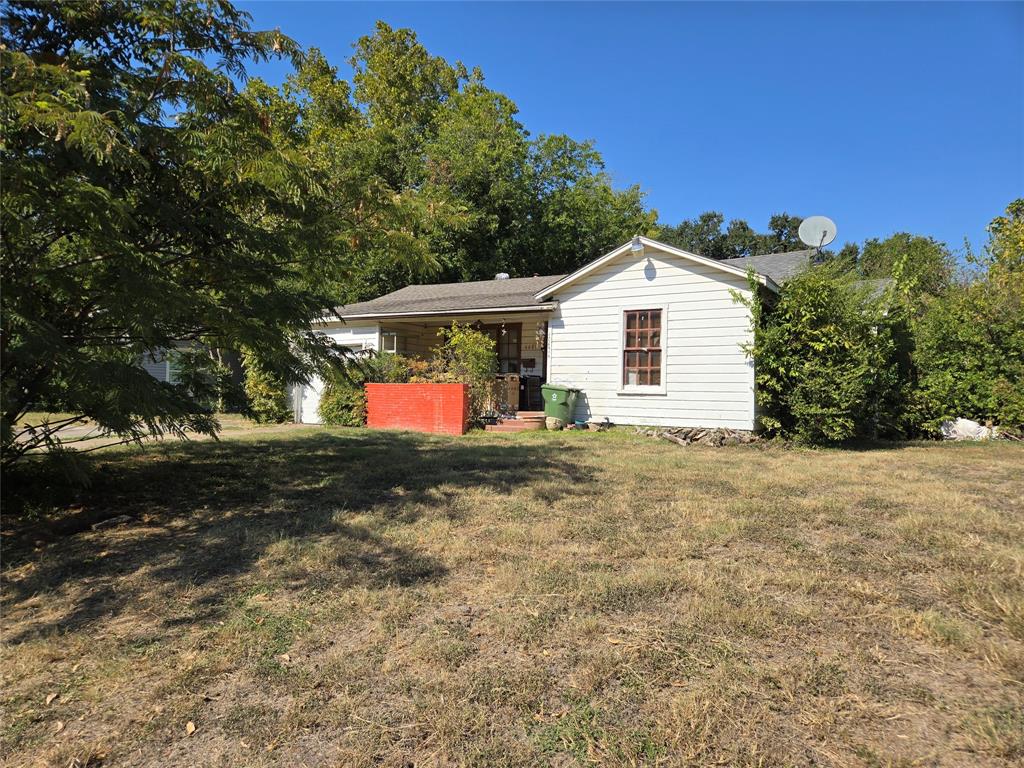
(705, 236)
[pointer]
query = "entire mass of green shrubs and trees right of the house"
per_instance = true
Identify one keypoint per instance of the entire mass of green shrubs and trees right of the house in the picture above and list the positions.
(835, 362)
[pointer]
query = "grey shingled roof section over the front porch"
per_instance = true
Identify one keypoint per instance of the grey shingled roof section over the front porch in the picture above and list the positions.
(509, 294)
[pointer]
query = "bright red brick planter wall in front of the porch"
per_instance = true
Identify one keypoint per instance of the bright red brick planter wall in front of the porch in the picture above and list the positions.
(420, 408)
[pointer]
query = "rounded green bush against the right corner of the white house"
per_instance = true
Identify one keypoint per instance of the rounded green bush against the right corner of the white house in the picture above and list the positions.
(828, 361)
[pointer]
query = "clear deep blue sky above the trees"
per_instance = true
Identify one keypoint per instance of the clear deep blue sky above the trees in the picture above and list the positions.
(886, 117)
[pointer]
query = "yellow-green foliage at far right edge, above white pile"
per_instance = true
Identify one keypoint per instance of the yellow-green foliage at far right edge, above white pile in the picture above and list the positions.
(970, 340)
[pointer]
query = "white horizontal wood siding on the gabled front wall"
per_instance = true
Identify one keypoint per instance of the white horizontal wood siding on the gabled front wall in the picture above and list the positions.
(708, 379)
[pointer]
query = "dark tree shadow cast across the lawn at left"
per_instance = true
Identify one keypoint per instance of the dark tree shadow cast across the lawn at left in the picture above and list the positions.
(205, 515)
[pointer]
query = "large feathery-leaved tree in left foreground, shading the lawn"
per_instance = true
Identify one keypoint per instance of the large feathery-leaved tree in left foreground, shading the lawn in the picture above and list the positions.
(150, 203)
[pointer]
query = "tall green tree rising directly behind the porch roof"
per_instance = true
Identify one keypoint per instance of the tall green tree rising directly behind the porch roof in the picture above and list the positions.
(500, 200)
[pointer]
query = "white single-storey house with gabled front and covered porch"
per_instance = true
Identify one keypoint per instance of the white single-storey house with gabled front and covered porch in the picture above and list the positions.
(649, 333)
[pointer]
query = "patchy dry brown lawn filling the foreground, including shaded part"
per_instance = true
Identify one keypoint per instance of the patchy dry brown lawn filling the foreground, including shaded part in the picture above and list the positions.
(339, 598)
